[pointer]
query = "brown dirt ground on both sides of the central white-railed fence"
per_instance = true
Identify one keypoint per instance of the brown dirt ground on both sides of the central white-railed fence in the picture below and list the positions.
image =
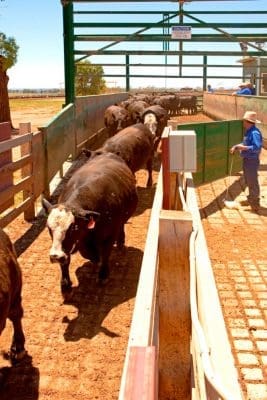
(77, 348)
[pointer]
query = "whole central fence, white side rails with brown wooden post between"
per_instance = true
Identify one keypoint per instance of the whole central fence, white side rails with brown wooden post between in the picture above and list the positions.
(205, 357)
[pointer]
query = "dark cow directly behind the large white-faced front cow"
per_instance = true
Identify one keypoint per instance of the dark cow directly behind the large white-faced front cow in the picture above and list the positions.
(134, 145)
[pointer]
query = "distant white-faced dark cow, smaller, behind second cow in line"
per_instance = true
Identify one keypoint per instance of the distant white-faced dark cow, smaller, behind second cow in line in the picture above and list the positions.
(155, 118)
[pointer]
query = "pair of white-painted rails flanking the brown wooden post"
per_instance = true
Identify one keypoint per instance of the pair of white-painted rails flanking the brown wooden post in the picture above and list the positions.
(213, 372)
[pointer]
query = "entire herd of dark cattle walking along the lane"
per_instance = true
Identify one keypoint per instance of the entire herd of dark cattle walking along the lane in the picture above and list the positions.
(96, 202)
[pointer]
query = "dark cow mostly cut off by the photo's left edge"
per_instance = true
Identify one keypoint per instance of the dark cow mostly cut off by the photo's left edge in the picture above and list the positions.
(10, 296)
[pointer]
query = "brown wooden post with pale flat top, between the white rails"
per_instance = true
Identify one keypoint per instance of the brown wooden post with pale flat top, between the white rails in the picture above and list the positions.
(175, 228)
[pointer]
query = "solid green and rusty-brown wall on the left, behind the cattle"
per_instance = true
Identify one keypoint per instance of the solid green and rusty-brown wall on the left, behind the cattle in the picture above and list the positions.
(77, 125)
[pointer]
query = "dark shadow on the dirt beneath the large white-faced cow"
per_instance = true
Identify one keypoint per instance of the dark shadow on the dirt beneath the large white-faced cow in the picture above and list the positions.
(94, 301)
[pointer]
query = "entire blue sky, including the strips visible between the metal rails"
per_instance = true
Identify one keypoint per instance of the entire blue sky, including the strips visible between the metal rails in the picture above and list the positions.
(37, 27)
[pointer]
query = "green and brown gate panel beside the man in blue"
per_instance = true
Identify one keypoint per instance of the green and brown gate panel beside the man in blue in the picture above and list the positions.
(214, 140)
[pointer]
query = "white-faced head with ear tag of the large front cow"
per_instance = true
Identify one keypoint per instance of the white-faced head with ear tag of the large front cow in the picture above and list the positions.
(67, 227)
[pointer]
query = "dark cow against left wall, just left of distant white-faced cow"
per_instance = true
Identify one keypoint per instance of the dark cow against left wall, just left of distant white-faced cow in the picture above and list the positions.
(115, 119)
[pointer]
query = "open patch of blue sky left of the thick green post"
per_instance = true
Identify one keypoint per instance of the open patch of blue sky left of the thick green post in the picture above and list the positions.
(37, 28)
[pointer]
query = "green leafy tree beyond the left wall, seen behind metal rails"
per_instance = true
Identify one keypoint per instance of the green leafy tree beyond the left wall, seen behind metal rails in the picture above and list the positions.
(89, 79)
